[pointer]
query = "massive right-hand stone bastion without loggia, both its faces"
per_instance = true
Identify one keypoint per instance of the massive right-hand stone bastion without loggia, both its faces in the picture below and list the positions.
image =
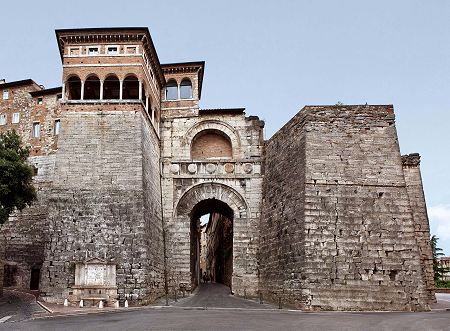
(353, 246)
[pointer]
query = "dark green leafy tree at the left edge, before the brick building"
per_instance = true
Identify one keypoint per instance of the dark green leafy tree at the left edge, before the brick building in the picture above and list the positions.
(16, 187)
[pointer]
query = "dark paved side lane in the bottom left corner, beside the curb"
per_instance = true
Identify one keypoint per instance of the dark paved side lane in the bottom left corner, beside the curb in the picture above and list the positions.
(17, 306)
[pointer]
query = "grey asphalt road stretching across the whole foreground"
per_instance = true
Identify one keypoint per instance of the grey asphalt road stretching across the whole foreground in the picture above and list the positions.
(227, 319)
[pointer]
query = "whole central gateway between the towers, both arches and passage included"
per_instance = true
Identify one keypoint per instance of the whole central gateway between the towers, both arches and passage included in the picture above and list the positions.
(212, 194)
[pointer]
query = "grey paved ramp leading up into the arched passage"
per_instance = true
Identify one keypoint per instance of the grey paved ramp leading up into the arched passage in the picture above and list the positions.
(215, 295)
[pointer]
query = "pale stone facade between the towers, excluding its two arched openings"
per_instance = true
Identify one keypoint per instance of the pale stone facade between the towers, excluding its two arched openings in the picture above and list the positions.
(224, 179)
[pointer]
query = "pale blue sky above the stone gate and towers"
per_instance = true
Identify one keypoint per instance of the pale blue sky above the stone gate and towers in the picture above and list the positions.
(274, 57)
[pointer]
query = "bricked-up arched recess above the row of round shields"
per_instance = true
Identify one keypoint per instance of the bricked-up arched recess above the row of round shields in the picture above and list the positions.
(211, 144)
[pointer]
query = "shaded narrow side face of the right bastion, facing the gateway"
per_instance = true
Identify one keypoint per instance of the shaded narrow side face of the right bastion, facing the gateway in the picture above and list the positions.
(282, 226)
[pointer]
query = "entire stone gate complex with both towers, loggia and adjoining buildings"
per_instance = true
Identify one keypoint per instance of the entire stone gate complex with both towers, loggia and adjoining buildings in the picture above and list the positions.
(325, 215)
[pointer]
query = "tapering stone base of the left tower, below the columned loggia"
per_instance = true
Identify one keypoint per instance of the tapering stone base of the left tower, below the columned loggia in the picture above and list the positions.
(102, 204)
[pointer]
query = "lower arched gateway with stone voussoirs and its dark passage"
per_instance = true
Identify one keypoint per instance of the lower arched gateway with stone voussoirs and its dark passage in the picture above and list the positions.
(217, 249)
